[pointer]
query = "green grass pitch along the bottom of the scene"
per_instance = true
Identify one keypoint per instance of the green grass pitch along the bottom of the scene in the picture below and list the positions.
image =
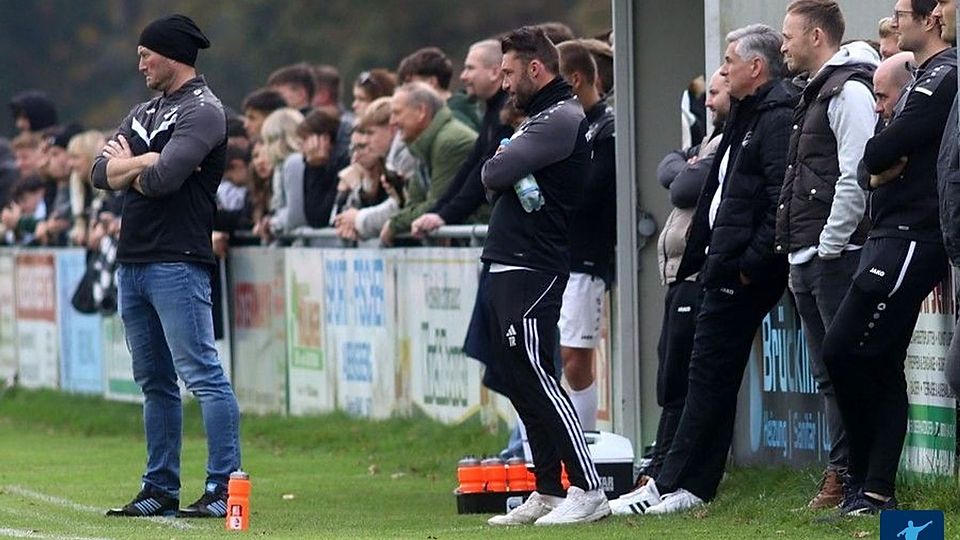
(65, 459)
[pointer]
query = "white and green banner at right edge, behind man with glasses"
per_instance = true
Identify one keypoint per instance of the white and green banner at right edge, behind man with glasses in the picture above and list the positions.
(931, 443)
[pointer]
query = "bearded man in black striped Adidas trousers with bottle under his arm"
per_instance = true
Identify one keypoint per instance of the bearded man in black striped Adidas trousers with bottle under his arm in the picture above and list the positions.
(527, 254)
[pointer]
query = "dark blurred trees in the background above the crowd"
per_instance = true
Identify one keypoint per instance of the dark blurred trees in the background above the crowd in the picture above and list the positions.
(81, 52)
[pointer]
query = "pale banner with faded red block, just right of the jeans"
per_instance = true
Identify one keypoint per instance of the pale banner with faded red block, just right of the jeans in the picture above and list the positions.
(259, 329)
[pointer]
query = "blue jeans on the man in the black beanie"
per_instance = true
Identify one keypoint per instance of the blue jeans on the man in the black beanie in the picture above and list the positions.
(168, 321)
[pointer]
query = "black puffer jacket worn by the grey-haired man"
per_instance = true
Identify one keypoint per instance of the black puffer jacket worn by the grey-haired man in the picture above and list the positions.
(741, 240)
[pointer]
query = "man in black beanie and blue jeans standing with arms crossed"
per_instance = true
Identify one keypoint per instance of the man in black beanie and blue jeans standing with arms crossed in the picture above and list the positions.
(168, 157)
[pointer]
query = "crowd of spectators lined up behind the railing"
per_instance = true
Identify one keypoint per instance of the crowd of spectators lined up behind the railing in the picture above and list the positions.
(399, 162)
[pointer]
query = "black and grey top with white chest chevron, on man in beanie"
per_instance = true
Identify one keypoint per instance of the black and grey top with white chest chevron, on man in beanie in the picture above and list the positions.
(172, 220)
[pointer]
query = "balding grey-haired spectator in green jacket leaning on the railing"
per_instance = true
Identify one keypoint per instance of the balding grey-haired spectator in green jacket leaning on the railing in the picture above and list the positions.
(441, 143)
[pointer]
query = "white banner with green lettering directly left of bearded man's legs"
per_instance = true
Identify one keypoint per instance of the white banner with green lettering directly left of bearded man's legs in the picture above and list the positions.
(437, 288)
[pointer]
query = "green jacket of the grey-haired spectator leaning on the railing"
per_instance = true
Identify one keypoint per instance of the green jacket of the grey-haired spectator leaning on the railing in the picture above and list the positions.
(441, 149)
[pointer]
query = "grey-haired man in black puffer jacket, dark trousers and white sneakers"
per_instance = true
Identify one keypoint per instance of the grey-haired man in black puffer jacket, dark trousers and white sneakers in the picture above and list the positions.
(731, 244)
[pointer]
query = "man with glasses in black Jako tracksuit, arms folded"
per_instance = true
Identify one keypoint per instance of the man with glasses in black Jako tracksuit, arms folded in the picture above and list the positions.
(901, 262)
